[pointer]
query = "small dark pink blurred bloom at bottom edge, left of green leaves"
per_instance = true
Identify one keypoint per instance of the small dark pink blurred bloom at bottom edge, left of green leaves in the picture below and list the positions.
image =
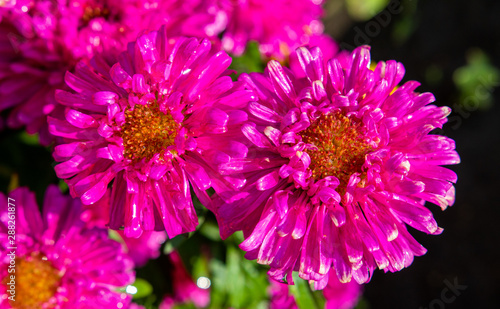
(184, 288)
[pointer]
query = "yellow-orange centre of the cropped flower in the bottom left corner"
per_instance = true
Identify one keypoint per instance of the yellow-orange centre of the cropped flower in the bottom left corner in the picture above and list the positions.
(36, 282)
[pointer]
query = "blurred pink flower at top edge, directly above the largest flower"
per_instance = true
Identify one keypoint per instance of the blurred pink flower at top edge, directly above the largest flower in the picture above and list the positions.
(279, 26)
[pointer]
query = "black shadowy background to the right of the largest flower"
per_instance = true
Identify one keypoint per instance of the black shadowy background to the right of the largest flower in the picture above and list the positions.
(443, 34)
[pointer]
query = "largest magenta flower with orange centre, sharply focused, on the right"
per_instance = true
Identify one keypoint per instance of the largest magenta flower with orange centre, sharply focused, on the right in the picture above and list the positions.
(338, 167)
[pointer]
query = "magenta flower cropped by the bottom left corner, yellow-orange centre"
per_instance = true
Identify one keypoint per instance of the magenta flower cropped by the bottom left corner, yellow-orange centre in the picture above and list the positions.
(59, 262)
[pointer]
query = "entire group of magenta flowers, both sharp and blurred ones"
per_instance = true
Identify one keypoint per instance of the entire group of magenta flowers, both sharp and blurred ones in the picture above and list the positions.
(322, 161)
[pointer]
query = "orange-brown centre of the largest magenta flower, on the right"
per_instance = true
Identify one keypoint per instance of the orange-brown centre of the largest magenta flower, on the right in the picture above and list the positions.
(339, 147)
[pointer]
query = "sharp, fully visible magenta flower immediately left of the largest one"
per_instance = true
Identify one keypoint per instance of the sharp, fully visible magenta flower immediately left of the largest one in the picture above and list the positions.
(149, 128)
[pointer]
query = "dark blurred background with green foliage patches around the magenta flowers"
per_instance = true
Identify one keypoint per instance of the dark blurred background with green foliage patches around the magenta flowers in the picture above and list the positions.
(453, 48)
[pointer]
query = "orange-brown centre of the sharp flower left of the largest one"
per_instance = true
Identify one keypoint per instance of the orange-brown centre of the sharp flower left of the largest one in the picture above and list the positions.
(147, 131)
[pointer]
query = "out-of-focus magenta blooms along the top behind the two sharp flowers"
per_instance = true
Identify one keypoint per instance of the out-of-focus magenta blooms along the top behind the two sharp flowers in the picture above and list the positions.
(43, 39)
